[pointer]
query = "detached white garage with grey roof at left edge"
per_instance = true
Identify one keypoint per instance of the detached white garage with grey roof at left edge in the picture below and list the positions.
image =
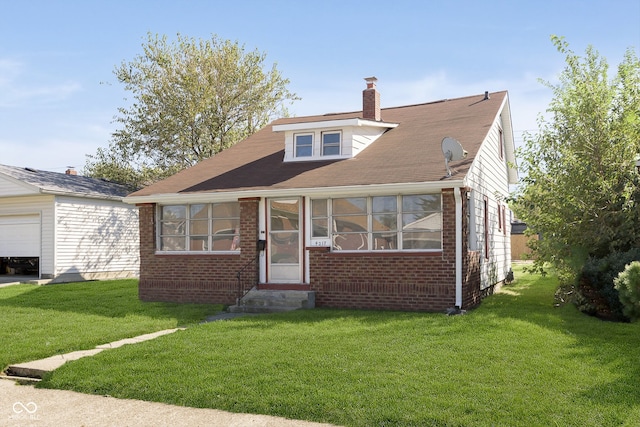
(65, 227)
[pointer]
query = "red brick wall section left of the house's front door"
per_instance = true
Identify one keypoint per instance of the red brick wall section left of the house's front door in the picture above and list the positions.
(198, 278)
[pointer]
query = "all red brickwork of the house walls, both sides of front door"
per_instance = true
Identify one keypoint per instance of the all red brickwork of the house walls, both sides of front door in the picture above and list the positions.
(400, 281)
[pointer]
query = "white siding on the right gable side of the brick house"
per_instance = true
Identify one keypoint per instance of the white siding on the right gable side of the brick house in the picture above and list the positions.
(489, 177)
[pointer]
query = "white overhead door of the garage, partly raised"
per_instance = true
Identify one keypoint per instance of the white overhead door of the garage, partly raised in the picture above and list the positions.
(20, 236)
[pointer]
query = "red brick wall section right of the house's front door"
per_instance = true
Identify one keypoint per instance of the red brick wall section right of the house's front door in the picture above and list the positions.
(403, 281)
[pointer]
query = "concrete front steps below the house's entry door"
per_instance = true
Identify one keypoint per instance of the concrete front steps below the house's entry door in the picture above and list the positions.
(274, 301)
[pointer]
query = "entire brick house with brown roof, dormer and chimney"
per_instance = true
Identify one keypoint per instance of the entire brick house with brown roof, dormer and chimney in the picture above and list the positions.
(356, 207)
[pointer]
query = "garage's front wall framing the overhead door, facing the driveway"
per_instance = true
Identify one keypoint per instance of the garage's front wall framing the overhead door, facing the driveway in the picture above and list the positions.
(42, 205)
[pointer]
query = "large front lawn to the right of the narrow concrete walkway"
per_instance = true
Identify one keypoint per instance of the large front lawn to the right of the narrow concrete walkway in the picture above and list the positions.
(515, 361)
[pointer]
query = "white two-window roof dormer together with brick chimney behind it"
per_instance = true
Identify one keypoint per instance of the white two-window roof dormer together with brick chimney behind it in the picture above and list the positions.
(336, 139)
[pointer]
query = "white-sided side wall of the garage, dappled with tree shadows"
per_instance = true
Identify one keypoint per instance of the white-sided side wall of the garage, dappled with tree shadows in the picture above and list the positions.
(96, 239)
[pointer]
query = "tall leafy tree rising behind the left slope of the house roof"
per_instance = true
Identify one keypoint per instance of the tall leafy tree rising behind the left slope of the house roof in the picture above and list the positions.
(191, 100)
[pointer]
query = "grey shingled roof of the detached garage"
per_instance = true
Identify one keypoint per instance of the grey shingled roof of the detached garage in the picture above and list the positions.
(65, 184)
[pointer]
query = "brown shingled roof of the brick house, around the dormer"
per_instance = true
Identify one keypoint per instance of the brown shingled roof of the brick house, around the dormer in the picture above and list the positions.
(408, 153)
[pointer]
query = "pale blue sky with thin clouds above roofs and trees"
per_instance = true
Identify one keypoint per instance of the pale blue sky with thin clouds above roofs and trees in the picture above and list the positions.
(58, 93)
